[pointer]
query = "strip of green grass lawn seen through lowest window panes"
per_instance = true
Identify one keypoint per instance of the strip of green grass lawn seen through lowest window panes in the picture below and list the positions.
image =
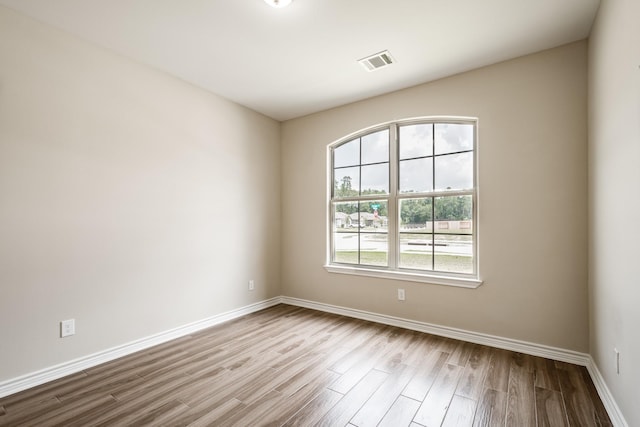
(417, 260)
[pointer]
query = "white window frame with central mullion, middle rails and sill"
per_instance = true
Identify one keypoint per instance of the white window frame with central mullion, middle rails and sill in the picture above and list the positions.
(471, 280)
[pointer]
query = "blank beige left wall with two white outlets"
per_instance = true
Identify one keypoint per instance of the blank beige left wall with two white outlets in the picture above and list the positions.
(129, 200)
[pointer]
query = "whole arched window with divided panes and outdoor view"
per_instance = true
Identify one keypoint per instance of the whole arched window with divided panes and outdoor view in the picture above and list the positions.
(403, 202)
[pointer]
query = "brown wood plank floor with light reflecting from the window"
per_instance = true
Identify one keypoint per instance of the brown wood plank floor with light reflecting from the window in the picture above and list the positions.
(289, 366)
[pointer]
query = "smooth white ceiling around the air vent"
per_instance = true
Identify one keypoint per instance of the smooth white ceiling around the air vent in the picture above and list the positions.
(301, 59)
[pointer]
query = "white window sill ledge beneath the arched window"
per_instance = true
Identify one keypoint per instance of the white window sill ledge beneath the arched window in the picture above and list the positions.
(461, 282)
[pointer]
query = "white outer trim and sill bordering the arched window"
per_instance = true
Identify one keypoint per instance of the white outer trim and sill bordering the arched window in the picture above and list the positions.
(470, 281)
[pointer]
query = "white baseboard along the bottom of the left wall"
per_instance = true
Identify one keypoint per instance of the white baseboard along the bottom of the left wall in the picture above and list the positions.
(58, 371)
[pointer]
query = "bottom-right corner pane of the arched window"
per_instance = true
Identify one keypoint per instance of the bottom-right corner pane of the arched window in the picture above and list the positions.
(453, 253)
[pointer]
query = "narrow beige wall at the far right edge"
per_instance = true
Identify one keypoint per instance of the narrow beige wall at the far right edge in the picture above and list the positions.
(614, 205)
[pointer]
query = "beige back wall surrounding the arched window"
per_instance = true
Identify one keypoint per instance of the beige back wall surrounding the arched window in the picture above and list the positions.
(533, 200)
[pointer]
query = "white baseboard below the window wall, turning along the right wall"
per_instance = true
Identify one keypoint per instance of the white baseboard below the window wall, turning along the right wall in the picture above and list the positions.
(525, 347)
